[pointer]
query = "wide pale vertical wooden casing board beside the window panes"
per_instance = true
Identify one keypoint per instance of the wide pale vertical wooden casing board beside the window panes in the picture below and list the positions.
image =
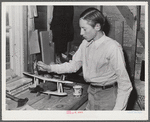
(16, 39)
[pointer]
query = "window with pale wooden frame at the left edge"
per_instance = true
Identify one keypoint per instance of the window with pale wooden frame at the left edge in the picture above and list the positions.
(15, 38)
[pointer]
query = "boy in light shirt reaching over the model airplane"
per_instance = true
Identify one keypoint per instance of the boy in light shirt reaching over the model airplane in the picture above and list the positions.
(102, 61)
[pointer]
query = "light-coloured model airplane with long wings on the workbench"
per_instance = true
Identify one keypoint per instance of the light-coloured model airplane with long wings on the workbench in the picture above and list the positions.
(59, 82)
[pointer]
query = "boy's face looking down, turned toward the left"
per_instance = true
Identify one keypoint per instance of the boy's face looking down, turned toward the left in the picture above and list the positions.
(87, 31)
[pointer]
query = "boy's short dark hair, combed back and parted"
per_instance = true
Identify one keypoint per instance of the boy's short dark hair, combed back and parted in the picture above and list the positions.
(93, 16)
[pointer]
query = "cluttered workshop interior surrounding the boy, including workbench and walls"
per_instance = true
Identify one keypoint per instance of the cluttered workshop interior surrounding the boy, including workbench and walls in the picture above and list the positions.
(30, 30)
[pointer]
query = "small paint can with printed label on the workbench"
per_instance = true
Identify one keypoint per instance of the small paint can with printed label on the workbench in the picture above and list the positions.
(77, 90)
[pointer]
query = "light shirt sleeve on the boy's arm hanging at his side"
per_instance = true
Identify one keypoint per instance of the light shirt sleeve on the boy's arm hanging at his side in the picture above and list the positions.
(124, 84)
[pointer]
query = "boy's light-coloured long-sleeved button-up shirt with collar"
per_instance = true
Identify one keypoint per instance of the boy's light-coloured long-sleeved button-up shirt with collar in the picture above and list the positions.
(102, 63)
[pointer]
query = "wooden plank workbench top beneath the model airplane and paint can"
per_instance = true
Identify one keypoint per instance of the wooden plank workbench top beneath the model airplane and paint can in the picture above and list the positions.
(43, 102)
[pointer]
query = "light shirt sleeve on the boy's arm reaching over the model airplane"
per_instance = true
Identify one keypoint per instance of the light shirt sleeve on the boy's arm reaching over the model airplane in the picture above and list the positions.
(71, 66)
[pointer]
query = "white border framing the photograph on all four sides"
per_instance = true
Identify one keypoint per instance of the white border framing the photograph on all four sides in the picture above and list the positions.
(85, 115)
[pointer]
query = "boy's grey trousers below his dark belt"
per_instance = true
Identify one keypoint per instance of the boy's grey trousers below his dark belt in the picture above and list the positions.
(101, 99)
